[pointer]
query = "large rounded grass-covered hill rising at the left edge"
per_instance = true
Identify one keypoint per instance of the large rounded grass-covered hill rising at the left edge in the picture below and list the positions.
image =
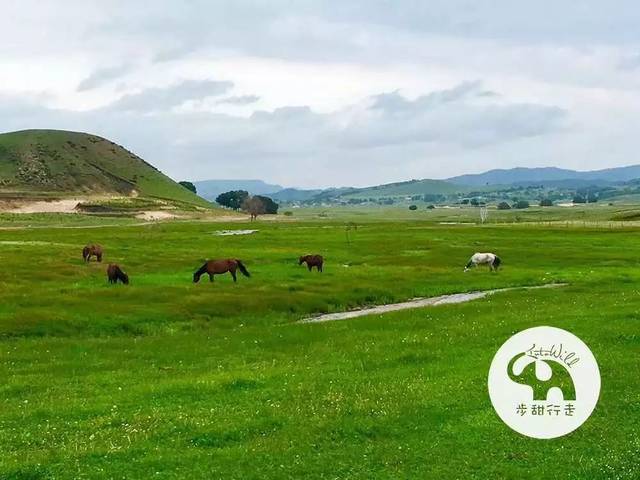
(54, 162)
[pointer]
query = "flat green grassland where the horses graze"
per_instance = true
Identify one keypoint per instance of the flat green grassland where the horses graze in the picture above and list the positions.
(169, 379)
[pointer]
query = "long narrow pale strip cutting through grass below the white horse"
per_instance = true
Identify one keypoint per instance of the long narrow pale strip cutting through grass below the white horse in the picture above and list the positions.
(419, 303)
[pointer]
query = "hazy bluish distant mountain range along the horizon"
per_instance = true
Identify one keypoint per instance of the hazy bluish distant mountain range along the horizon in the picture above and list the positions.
(491, 180)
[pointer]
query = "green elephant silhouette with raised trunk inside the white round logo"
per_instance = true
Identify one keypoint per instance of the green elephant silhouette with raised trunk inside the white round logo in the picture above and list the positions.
(560, 378)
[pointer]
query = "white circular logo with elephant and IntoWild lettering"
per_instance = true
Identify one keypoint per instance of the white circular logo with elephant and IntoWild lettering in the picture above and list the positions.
(544, 382)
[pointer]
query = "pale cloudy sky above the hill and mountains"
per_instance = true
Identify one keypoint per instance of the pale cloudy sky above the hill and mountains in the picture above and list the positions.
(316, 93)
